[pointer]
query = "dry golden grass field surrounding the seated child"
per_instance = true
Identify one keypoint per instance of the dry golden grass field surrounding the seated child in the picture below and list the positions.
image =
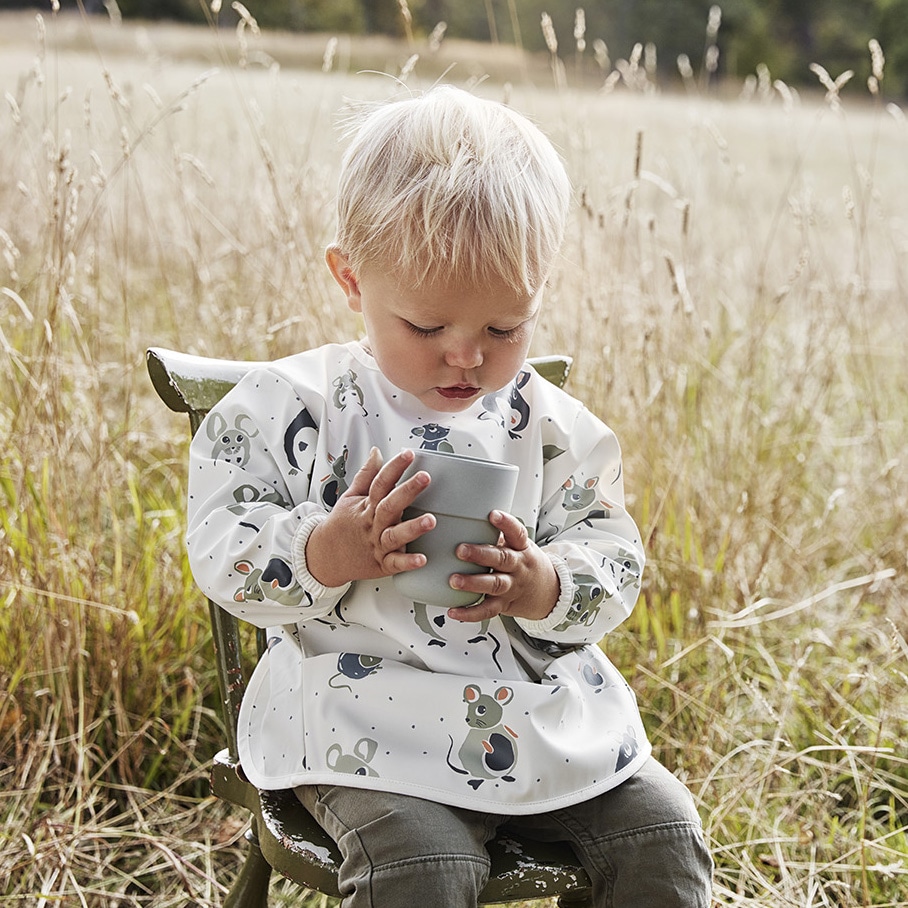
(734, 290)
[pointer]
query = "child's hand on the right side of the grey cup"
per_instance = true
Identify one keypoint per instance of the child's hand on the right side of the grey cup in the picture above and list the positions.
(523, 582)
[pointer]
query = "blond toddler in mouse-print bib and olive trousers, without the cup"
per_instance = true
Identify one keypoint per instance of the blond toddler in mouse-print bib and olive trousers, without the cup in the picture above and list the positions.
(412, 733)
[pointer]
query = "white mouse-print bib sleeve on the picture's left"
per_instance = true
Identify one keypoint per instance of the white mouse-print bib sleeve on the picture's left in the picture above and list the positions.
(250, 510)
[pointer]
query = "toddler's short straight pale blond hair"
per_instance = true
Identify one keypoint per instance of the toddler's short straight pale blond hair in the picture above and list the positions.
(448, 183)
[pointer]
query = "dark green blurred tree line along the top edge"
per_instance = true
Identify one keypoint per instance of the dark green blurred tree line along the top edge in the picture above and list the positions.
(785, 35)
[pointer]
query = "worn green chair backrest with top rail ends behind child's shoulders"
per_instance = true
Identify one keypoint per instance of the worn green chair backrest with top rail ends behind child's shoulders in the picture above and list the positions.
(193, 385)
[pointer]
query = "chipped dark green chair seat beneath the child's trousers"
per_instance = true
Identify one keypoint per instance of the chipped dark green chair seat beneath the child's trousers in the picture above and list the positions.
(299, 849)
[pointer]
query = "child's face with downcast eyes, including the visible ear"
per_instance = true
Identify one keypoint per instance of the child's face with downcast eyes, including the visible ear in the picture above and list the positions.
(445, 343)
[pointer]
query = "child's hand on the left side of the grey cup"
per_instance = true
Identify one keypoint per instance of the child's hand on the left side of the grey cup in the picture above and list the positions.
(363, 537)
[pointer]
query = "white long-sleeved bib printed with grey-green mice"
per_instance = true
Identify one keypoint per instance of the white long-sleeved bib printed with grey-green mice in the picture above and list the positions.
(362, 687)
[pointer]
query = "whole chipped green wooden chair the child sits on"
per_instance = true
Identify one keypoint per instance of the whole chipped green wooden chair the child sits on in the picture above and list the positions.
(282, 836)
